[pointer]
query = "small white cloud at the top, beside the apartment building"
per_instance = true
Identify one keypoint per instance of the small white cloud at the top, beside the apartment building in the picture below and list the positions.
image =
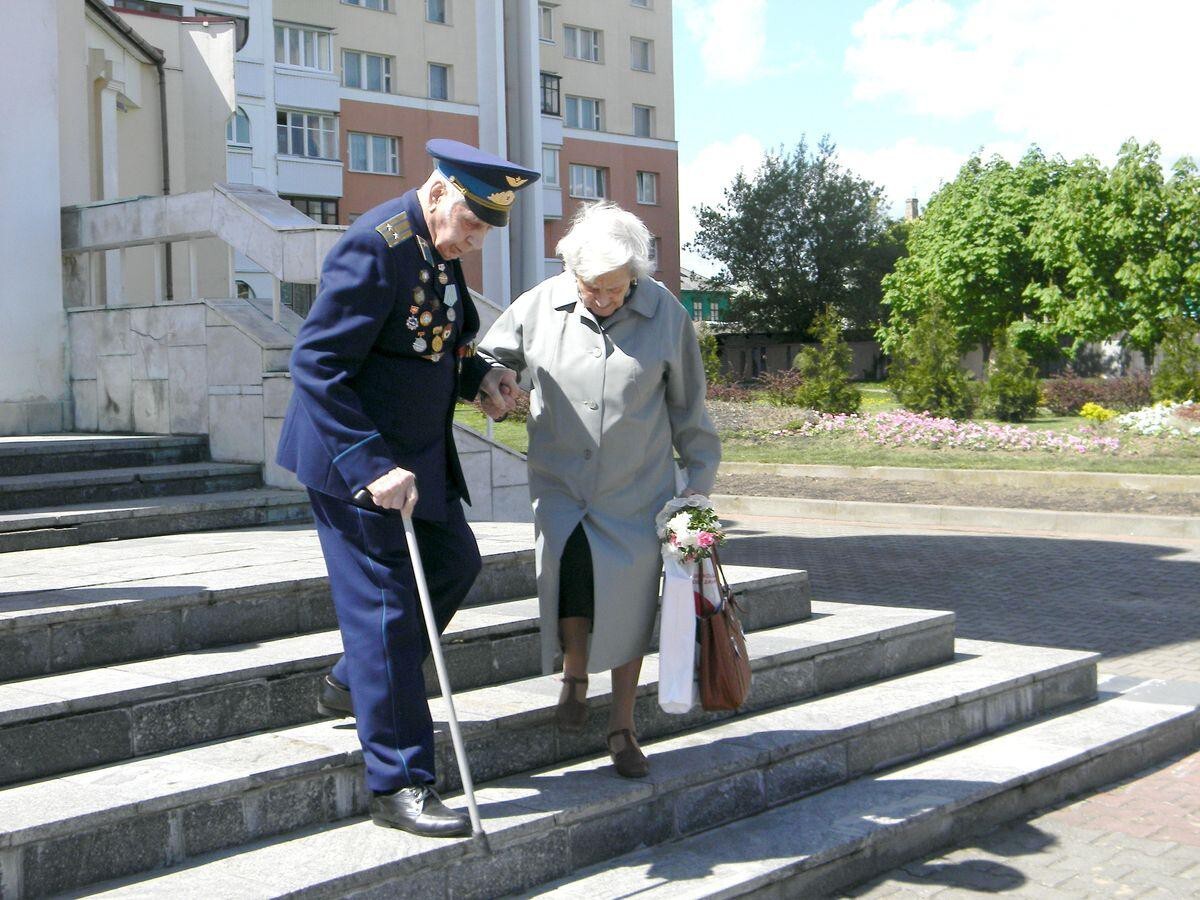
(731, 34)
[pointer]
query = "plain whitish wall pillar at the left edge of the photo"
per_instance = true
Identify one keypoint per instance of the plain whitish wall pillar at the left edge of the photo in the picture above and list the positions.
(33, 368)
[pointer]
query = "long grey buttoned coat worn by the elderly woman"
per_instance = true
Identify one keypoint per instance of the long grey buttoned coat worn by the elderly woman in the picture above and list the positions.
(608, 405)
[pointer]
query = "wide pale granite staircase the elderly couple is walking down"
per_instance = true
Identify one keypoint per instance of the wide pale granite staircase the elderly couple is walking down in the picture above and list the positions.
(159, 737)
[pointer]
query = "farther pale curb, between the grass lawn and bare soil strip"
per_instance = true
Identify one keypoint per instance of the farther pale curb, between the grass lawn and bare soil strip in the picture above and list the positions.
(1004, 478)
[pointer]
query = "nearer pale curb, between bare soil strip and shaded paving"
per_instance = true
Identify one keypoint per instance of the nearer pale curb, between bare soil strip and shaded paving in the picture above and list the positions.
(965, 518)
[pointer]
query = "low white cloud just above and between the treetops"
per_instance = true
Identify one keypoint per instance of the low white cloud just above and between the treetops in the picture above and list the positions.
(913, 169)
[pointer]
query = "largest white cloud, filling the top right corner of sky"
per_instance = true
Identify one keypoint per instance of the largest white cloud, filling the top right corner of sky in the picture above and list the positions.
(1073, 76)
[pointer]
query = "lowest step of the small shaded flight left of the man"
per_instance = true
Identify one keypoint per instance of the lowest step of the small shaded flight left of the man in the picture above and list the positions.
(86, 524)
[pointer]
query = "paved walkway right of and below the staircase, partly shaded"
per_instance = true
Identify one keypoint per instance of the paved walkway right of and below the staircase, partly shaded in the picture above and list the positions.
(1135, 601)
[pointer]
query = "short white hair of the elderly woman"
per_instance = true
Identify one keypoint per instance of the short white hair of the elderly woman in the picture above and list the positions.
(604, 238)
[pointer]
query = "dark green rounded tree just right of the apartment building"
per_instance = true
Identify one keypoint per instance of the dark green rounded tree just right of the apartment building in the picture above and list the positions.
(802, 235)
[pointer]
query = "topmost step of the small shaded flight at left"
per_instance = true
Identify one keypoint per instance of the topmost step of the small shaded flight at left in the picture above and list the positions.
(41, 454)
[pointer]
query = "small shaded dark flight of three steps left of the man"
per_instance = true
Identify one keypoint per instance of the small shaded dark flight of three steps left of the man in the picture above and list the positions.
(79, 489)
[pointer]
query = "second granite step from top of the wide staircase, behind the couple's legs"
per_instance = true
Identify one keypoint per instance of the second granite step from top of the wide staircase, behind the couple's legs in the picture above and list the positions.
(69, 722)
